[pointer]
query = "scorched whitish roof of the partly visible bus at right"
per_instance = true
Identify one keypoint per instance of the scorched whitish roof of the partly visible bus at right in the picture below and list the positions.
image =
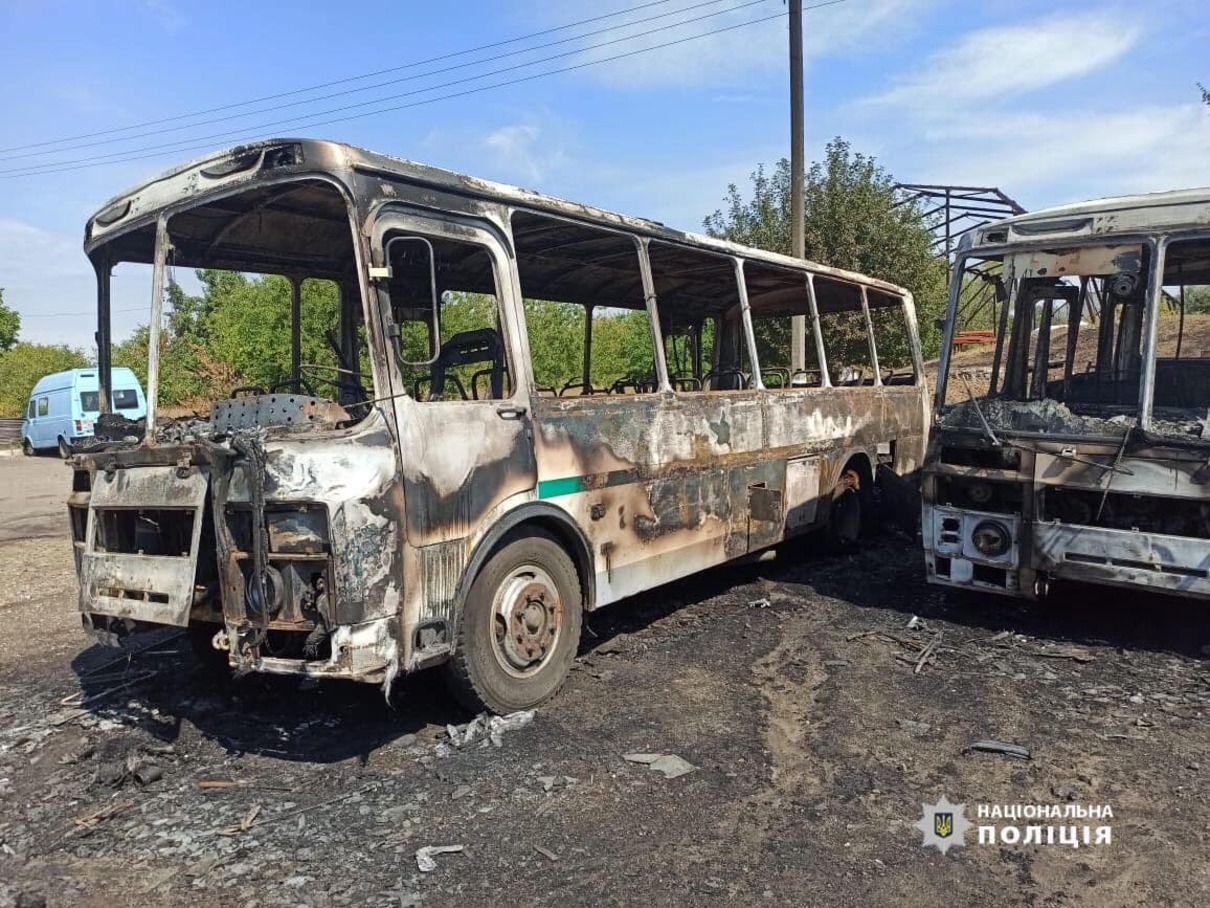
(1149, 214)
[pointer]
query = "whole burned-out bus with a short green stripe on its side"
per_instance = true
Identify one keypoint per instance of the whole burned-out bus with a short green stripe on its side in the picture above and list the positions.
(440, 491)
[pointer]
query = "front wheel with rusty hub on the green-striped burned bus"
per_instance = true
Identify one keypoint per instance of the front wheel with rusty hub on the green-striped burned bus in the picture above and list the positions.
(520, 628)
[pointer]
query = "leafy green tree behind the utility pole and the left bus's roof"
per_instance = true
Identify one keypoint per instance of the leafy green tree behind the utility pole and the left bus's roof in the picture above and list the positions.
(852, 221)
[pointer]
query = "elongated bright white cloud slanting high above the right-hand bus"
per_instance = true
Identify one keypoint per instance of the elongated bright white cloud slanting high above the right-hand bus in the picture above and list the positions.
(1011, 60)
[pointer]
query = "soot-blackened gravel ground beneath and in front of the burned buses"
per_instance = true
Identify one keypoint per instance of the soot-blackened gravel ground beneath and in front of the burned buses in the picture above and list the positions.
(791, 687)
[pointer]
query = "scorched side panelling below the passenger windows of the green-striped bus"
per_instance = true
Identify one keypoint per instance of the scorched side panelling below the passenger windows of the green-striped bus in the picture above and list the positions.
(669, 485)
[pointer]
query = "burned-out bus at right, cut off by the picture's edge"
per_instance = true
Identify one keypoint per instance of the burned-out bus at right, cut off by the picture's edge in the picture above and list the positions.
(1074, 445)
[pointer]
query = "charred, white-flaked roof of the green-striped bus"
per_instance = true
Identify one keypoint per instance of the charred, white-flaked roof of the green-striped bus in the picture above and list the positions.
(221, 171)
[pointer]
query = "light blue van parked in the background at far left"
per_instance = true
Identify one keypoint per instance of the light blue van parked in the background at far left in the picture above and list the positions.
(65, 406)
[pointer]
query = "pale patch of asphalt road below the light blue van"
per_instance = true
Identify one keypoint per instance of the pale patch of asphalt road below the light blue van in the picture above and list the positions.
(33, 497)
